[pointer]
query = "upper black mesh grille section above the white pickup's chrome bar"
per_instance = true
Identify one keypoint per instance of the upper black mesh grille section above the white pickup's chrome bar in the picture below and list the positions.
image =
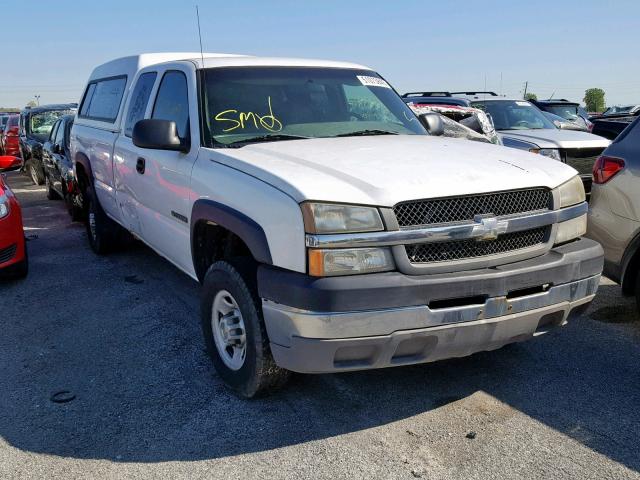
(456, 209)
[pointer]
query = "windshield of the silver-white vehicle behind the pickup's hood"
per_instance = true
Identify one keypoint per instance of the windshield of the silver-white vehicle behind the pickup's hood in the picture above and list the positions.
(514, 115)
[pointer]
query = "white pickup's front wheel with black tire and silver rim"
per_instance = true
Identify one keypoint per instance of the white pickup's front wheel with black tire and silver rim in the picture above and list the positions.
(234, 330)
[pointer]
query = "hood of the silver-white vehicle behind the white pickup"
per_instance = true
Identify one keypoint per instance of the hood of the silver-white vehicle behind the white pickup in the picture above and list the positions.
(556, 138)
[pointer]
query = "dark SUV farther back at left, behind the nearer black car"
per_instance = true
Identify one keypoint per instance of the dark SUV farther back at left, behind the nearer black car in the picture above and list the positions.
(35, 127)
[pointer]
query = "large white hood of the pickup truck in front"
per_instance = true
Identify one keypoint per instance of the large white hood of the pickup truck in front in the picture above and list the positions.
(384, 170)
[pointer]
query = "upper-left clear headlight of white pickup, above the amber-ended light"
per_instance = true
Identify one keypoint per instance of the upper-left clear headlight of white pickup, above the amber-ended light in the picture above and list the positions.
(331, 218)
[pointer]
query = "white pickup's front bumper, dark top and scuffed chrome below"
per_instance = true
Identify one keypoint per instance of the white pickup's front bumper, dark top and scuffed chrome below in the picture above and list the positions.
(391, 319)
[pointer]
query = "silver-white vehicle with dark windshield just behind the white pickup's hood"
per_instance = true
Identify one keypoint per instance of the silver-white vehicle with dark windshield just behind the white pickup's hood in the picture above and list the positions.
(522, 125)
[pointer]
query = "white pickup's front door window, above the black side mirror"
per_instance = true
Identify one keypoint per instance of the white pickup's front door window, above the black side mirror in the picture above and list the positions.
(172, 101)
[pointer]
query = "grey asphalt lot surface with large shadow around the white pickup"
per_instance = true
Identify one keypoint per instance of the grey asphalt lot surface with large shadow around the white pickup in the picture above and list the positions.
(121, 335)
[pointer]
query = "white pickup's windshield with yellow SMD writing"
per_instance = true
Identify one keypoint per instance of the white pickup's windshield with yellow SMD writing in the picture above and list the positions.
(252, 104)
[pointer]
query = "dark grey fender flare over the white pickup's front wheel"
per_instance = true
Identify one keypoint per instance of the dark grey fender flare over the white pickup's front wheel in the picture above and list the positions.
(250, 232)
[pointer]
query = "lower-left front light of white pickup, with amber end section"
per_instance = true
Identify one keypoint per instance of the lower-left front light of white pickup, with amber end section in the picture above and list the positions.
(331, 262)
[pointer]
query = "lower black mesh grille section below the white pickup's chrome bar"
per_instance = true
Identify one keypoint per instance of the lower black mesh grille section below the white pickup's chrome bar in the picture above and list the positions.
(466, 249)
